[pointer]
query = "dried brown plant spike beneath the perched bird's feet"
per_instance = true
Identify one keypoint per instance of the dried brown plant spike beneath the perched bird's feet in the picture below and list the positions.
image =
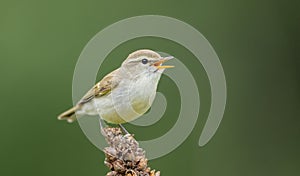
(124, 157)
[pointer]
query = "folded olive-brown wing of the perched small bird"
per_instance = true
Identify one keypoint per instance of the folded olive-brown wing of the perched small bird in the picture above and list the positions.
(102, 88)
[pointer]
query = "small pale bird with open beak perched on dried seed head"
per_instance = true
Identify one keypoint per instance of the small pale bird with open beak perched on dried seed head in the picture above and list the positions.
(124, 94)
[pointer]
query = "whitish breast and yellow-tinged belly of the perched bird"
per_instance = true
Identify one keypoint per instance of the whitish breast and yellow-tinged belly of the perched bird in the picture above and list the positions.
(128, 101)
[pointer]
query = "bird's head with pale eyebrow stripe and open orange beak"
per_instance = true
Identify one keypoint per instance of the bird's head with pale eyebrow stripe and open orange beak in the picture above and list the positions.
(145, 62)
